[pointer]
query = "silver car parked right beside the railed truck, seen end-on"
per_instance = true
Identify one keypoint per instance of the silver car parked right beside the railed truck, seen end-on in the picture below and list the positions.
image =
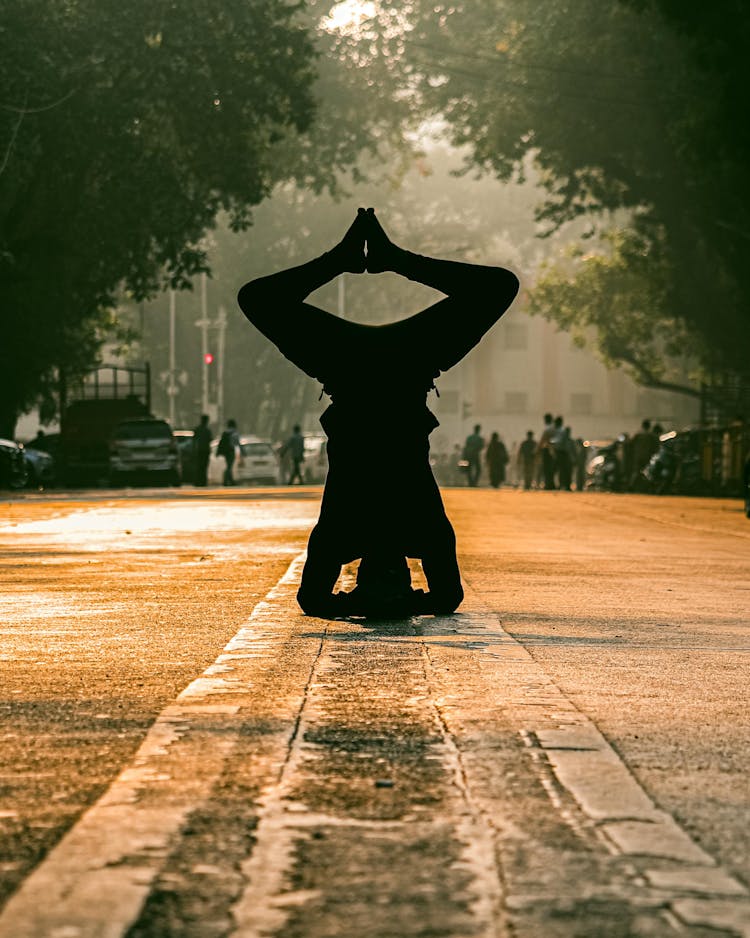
(143, 450)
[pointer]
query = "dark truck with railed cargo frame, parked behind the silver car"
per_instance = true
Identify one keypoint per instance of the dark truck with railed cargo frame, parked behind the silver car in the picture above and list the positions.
(89, 412)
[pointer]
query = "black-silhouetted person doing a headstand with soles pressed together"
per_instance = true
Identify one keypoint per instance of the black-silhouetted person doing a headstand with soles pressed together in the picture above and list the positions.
(378, 378)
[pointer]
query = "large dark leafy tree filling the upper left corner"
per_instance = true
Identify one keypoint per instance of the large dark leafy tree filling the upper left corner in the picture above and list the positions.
(123, 130)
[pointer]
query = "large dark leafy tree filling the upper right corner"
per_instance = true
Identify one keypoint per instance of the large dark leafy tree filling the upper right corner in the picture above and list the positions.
(625, 107)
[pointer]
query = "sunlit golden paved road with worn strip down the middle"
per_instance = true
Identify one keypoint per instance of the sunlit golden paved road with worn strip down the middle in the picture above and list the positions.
(185, 754)
